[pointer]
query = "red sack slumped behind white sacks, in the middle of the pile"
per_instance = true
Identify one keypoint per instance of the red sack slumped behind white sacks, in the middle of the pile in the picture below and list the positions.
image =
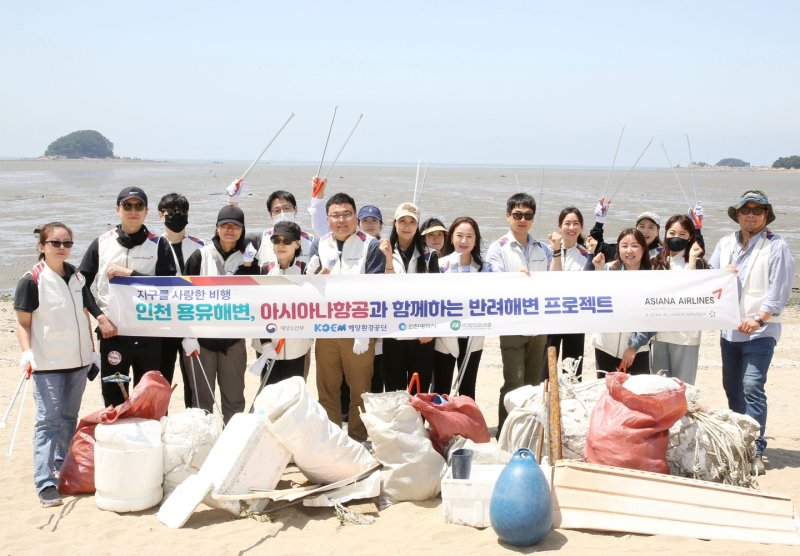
(459, 415)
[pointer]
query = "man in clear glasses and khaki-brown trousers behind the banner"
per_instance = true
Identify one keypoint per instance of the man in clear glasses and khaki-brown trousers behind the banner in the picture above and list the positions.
(345, 250)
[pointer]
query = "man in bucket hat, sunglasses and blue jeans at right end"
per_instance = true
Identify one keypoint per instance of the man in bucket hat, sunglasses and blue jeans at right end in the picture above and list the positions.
(764, 268)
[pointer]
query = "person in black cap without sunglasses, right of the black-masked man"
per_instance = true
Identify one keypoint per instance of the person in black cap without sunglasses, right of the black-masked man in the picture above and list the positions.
(224, 360)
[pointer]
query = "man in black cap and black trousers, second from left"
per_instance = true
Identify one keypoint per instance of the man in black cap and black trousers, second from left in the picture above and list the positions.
(127, 250)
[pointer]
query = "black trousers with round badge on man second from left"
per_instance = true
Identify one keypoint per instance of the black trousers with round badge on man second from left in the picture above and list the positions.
(121, 353)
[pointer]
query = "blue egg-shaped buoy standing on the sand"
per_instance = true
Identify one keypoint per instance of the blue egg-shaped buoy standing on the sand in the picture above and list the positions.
(520, 511)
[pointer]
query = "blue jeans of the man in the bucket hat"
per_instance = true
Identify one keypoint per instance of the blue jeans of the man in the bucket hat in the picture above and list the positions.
(744, 374)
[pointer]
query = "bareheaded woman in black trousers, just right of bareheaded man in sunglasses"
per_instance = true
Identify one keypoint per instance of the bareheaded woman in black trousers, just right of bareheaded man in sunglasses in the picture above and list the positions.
(569, 254)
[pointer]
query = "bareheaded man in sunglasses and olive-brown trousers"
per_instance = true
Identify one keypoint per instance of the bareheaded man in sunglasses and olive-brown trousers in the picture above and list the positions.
(518, 251)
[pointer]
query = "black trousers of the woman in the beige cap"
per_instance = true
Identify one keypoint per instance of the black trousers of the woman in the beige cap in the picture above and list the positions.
(403, 358)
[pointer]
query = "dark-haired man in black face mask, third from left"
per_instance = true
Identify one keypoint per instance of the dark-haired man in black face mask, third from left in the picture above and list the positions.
(173, 211)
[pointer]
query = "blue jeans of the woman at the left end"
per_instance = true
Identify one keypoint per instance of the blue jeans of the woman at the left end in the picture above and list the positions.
(58, 401)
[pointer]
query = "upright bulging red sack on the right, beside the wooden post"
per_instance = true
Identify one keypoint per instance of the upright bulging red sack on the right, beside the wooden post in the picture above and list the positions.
(632, 430)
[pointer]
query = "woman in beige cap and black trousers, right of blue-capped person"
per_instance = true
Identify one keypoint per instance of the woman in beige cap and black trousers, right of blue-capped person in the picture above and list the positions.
(408, 254)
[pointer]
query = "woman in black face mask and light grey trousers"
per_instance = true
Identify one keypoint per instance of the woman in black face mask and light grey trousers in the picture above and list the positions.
(677, 353)
